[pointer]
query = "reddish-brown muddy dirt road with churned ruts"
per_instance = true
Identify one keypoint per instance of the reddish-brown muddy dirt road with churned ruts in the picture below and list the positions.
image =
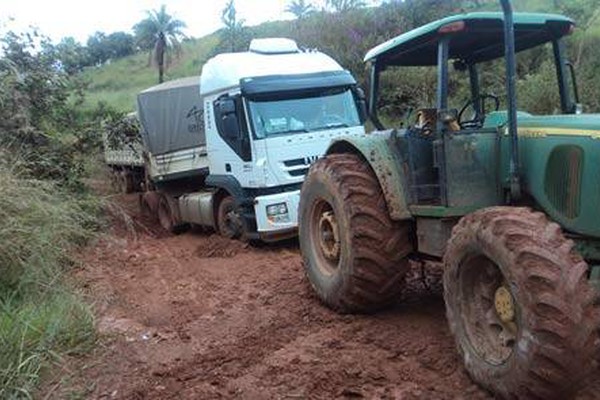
(197, 316)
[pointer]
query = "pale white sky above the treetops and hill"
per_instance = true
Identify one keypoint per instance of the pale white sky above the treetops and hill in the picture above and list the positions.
(81, 18)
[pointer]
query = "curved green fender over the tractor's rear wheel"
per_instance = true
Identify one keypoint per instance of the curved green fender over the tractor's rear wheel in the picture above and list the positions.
(380, 151)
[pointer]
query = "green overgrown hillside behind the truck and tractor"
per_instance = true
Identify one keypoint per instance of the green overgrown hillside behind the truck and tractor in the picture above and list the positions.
(347, 36)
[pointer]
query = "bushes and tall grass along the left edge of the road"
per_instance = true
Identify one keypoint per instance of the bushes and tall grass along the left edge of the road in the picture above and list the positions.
(46, 213)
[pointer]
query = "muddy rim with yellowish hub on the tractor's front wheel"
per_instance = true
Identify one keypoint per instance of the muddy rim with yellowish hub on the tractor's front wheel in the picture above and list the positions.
(489, 311)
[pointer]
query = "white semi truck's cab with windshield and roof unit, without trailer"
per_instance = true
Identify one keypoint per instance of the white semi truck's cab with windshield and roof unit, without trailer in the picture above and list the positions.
(269, 113)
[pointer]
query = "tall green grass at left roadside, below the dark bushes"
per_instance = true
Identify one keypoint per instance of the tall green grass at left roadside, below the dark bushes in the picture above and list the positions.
(41, 318)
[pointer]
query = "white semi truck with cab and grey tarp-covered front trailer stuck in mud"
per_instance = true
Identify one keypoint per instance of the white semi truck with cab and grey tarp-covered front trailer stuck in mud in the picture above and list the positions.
(230, 150)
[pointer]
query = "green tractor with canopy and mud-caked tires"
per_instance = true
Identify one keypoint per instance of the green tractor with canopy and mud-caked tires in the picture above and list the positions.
(509, 202)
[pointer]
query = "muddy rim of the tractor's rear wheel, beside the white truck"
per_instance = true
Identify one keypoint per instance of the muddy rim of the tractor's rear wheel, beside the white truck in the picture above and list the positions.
(324, 227)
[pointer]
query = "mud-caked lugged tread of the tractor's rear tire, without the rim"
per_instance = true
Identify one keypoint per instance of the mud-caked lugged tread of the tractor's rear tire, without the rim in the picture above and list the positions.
(378, 267)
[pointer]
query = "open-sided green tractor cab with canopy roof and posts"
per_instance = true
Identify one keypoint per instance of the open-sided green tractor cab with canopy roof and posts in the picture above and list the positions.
(455, 152)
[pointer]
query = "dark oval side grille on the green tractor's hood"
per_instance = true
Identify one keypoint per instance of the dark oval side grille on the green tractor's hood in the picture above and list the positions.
(563, 180)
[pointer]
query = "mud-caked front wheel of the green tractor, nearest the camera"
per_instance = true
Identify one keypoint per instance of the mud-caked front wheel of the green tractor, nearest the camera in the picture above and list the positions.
(519, 305)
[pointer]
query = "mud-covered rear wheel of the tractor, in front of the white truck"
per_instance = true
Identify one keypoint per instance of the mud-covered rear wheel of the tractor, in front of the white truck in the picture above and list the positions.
(355, 256)
